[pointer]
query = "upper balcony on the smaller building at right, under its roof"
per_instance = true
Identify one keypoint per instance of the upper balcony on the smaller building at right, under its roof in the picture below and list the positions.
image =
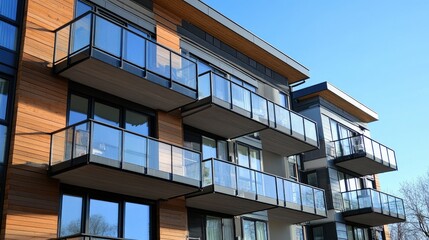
(363, 155)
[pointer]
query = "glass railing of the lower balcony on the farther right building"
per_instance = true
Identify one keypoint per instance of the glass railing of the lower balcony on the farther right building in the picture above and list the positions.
(379, 202)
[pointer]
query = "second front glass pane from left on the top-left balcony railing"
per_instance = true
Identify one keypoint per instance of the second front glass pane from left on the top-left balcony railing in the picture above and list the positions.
(134, 49)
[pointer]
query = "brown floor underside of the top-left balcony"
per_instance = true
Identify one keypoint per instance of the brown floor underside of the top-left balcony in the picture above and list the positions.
(102, 72)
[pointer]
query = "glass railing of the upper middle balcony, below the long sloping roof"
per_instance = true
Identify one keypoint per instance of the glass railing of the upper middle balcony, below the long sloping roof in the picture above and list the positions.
(256, 107)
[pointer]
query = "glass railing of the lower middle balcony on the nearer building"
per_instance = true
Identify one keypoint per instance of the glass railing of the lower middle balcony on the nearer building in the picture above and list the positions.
(285, 193)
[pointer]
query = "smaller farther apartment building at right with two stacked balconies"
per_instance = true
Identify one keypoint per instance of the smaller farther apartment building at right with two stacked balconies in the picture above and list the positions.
(347, 165)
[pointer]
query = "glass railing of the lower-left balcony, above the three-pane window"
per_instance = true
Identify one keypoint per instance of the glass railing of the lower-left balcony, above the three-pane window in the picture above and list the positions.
(116, 147)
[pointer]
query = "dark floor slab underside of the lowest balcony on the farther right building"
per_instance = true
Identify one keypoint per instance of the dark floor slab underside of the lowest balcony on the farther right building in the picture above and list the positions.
(370, 218)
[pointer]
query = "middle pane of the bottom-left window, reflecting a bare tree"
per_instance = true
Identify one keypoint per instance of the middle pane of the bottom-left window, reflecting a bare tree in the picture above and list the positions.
(103, 218)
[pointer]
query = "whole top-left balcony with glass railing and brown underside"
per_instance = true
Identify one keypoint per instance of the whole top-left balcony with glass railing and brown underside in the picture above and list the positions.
(96, 51)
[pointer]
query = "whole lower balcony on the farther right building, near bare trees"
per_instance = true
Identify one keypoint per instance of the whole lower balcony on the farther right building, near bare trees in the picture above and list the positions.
(372, 208)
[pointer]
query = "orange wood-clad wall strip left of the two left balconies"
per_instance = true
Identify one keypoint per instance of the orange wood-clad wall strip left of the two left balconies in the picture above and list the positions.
(31, 196)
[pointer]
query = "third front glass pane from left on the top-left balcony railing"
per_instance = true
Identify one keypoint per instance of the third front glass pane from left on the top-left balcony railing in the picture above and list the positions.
(158, 60)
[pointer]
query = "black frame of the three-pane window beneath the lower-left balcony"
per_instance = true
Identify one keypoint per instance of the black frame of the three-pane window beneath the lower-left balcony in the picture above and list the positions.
(88, 194)
